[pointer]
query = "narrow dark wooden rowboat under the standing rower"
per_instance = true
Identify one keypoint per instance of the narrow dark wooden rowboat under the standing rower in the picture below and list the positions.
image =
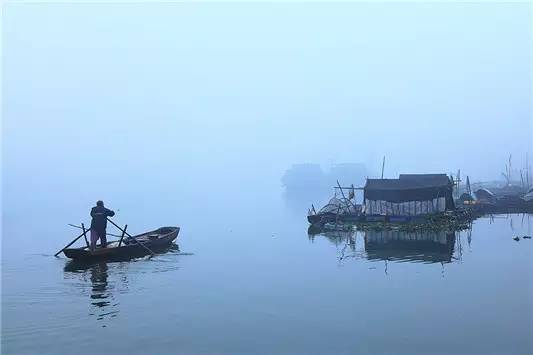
(156, 241)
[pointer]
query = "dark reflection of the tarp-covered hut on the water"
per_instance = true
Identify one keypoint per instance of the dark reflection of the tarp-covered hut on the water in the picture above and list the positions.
(428, 247)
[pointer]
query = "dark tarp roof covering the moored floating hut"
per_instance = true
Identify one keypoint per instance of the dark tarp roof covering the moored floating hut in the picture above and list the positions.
(411, 187)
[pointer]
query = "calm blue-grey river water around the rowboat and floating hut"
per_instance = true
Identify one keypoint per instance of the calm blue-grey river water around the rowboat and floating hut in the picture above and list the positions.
(245, 277)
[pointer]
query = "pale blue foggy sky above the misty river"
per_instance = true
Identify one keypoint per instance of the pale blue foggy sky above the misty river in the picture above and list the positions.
(228, 91)
